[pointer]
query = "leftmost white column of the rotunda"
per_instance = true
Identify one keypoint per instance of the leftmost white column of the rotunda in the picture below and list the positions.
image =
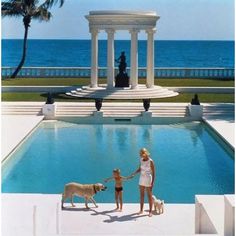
(94, 58)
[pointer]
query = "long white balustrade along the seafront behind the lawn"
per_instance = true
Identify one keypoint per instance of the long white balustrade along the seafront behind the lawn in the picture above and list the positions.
(76, 72)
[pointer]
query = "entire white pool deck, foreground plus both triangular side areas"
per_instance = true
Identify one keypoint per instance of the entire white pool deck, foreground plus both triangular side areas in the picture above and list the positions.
(40, 214)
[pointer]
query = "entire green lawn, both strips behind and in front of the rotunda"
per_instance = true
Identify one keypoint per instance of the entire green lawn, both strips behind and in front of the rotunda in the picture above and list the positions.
(183, 97)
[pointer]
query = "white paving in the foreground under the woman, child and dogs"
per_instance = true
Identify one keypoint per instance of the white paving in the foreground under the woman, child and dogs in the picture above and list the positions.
(40, 214)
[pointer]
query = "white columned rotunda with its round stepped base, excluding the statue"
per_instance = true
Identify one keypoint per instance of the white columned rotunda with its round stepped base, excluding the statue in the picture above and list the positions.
(133, 22)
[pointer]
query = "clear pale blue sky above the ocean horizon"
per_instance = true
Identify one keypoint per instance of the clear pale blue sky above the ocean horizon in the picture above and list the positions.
(180, 19)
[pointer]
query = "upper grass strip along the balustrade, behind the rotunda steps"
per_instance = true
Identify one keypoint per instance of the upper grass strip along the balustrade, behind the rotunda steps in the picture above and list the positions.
(86, 81)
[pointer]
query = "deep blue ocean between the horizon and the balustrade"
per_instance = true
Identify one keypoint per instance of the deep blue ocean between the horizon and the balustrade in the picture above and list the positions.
(77, 53)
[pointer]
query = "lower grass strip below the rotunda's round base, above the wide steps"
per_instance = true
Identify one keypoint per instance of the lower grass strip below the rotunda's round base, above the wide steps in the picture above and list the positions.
(183, 97)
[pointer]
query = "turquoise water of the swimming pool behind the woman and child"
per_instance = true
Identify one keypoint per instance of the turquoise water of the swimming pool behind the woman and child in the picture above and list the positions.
(189, 160)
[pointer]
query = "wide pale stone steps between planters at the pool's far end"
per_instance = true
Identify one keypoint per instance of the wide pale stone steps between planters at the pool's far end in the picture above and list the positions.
(118, 109)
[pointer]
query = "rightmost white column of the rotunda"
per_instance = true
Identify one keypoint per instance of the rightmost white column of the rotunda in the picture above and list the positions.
(150, 58)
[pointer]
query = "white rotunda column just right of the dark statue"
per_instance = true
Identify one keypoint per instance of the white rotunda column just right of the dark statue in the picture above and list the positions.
(134, 59)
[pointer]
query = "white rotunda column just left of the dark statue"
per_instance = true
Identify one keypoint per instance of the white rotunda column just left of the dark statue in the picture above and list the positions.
(110, 57)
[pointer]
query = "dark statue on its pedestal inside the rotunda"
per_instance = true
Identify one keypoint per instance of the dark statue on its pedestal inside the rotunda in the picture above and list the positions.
(122, 79)
